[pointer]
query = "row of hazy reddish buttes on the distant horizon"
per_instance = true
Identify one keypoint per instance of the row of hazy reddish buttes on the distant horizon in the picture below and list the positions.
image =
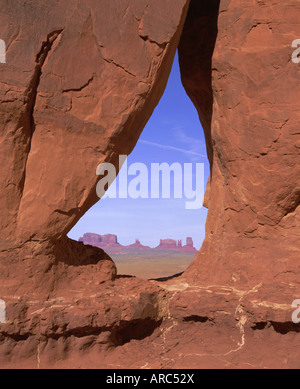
(110, 244)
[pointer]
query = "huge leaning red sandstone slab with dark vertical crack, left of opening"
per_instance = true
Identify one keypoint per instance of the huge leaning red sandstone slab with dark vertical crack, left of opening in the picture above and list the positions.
(80, 82)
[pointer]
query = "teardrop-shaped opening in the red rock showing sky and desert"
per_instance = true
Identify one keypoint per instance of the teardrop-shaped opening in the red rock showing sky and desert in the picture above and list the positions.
(155, 237)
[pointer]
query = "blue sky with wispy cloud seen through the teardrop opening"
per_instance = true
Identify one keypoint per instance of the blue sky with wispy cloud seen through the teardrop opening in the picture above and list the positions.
(173, 134)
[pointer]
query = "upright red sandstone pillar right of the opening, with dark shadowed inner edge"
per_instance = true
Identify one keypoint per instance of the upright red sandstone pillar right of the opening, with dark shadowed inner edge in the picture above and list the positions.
(237, 69)
